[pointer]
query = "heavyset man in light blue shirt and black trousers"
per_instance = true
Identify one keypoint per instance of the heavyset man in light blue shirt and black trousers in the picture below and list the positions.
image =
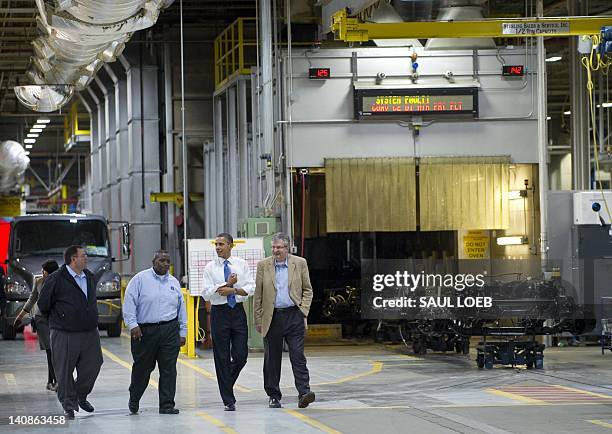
(154, 312)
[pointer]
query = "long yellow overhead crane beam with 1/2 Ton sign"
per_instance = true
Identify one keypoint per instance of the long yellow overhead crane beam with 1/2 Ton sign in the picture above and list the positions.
(351, 29)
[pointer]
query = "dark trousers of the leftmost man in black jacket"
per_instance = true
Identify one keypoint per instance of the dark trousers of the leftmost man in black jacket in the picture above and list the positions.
(80, 350)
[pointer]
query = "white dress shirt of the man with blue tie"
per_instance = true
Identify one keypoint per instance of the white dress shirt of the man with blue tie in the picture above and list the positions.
(214, 278)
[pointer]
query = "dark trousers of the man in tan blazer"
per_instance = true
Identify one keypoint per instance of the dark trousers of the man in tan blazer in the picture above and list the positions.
(288, 324)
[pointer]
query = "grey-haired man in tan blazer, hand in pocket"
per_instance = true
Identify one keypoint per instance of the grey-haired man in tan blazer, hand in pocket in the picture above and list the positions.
(283, 294)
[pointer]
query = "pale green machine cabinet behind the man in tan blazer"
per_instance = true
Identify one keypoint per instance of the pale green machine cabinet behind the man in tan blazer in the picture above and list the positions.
(257, 227)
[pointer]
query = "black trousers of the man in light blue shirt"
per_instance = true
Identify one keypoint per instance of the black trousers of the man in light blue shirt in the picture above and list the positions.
(161, 344)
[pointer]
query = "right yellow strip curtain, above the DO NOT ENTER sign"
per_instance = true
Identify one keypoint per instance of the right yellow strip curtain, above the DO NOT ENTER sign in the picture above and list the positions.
(464, 193)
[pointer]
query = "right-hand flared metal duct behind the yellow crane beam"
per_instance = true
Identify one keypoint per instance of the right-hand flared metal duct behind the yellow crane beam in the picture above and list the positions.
(460, 10)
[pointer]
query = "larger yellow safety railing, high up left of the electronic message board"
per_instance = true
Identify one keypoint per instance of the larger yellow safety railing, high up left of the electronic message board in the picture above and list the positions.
(235, 51)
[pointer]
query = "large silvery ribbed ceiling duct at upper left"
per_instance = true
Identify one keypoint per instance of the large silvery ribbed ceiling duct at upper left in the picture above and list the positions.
(77, 38)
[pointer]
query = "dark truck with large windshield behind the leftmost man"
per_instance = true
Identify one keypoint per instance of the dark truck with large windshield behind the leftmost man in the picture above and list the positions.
(35, 238)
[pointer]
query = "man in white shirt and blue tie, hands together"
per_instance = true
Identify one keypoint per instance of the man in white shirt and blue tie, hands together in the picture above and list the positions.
(227, 283)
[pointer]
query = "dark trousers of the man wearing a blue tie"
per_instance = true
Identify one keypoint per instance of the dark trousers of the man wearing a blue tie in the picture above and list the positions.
(230, 346)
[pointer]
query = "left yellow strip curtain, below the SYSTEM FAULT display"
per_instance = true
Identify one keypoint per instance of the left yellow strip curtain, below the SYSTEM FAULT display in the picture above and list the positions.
(370, 194)
